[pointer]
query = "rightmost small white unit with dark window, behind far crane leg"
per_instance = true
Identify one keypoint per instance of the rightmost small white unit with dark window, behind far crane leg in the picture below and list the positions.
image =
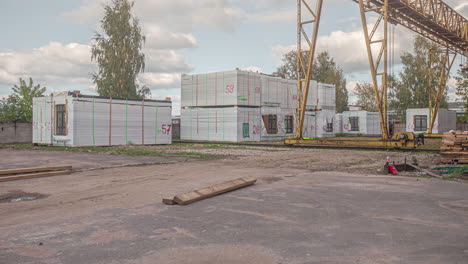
(417, 120)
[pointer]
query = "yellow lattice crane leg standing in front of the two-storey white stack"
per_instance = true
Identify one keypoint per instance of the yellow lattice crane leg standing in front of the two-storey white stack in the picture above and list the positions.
(306, 18)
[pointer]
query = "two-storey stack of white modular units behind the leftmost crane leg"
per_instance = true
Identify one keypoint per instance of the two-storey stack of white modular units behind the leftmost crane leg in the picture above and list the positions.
(225, 99)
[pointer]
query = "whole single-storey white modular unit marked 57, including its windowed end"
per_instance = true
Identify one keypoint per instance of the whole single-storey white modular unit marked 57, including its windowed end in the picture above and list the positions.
(71, 119)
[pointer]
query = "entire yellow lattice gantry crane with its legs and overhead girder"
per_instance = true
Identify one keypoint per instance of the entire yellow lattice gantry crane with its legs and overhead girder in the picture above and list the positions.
(432, 19)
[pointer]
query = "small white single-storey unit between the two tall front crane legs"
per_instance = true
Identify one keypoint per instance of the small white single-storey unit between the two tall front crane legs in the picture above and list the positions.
(361, 123)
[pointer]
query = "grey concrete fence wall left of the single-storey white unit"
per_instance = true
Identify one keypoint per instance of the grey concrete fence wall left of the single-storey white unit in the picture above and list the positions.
(12, 132)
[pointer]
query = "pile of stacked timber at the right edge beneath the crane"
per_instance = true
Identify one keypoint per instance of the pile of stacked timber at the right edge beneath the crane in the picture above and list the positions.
(454, 147)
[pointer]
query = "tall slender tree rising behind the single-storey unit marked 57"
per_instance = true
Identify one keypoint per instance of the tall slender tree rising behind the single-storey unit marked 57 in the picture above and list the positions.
(118, 53)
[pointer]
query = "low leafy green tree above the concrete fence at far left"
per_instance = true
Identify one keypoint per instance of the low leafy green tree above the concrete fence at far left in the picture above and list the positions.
(18, 106)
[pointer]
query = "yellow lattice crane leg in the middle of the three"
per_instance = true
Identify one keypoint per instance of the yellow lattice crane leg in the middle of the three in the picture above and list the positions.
(378, 69)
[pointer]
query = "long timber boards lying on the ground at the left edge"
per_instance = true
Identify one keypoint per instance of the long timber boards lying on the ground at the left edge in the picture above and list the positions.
(29, 173)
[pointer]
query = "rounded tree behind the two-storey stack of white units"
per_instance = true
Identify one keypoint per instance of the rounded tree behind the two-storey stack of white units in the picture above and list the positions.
(325, 70)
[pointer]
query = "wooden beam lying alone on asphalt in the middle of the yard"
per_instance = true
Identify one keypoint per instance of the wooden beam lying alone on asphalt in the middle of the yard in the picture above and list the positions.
(200, 194)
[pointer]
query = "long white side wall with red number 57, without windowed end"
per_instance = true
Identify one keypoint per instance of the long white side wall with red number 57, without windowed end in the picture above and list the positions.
(101, 122)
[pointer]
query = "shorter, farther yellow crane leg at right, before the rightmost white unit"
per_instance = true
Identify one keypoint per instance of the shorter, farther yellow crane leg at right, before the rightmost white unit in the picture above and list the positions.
(440, 63)
